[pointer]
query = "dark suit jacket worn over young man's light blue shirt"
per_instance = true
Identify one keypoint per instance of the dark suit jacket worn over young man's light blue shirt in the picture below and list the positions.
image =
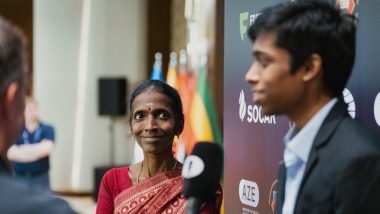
(342, 174)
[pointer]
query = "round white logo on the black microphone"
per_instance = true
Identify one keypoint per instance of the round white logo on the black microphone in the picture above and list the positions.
(192, 167)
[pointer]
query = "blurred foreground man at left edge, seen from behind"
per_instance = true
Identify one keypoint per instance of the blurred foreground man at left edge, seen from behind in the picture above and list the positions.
(15, 197)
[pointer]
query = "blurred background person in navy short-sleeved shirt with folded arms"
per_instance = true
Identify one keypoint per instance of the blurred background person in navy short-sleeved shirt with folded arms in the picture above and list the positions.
(30, 154)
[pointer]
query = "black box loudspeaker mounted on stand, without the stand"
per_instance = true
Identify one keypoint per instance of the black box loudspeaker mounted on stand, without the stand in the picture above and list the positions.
(112, 96)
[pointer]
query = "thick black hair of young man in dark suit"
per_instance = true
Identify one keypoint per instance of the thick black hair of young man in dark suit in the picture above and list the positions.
(305, 27)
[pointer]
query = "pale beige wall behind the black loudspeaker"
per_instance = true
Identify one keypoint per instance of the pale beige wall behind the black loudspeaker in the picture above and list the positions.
(116, 47)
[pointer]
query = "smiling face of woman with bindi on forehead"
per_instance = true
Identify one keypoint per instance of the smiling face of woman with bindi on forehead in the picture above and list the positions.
(153, 121)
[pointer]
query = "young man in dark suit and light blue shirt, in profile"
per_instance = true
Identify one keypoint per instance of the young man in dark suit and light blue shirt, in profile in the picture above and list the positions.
(303, 56)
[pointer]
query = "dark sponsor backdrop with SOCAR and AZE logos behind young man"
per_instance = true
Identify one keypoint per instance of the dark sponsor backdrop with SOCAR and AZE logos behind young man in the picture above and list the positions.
(253, 142)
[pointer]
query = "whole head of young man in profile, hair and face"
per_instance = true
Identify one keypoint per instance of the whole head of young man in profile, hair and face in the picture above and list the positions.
(300, 46)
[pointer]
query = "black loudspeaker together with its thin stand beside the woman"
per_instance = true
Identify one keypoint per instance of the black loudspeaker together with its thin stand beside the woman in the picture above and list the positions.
(112, 102)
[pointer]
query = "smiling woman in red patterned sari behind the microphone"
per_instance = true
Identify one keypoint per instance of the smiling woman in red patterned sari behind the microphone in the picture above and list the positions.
(153, 185)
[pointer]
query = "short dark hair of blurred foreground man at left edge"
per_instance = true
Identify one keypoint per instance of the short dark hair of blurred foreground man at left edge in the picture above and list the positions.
(12, 55)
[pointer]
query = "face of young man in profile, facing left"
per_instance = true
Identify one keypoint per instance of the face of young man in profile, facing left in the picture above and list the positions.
(274, 87)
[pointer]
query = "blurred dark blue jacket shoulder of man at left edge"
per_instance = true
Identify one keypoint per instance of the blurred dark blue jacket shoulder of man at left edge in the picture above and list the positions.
(16, 198)
